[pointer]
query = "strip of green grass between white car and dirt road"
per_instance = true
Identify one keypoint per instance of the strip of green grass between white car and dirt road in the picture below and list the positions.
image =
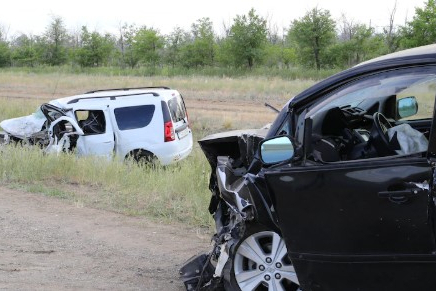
(172, 193)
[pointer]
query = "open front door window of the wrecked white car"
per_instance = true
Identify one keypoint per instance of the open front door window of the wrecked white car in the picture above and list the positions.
(91, 121)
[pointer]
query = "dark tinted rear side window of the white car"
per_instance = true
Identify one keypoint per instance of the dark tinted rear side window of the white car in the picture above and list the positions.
(134, 116)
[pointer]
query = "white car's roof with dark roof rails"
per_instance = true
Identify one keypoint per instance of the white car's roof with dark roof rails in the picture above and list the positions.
(101, 96)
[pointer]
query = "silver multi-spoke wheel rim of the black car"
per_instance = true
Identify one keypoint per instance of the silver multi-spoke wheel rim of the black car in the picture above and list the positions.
(261, 263)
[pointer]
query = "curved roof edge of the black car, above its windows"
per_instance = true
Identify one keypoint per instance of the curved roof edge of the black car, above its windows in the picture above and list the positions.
(418, 56)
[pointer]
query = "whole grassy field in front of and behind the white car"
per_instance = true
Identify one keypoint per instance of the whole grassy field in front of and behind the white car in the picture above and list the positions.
(177, 192)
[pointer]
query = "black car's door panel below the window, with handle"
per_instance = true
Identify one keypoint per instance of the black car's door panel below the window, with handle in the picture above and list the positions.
(362, 225)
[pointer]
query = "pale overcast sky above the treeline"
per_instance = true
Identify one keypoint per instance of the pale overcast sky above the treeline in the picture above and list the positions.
(33, 16)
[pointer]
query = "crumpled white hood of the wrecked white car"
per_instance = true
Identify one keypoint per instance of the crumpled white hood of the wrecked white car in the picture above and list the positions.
(23, 127)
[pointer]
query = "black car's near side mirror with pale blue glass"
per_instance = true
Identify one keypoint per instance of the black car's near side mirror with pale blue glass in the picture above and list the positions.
(277, 149)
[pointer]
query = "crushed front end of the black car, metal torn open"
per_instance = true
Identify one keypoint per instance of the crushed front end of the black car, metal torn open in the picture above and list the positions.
(239, 206)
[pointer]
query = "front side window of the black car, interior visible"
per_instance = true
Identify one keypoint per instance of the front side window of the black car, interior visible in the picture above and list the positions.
(362, 119)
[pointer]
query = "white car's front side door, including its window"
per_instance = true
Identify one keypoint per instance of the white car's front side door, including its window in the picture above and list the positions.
(98, 138)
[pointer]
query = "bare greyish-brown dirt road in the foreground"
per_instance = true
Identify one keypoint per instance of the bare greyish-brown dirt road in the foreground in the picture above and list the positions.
(50, 244)
